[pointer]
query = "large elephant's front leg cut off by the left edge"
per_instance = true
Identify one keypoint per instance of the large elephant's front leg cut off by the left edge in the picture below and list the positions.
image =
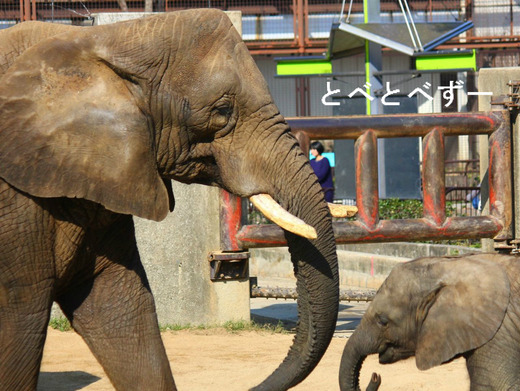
(26, 288)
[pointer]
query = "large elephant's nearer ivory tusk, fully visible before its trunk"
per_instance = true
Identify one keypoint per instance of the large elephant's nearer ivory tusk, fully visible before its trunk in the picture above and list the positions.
(278, 215)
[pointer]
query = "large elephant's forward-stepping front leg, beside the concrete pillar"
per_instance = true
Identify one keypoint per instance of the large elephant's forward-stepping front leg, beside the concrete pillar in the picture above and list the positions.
(115, 314)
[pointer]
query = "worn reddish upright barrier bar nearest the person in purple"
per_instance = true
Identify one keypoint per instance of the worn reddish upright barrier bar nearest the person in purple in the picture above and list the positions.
(367, 195)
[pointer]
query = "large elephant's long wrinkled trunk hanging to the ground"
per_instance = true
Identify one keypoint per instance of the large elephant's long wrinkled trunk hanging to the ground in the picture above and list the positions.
(315, 267)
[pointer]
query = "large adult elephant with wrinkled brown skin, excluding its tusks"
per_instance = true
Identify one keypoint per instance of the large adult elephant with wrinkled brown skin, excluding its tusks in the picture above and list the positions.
(94, 122)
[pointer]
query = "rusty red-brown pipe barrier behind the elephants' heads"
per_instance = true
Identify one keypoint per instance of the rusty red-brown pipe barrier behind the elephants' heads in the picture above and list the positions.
(367, 228)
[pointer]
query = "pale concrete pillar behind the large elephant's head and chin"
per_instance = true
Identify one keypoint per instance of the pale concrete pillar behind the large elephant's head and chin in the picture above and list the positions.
(175, 251)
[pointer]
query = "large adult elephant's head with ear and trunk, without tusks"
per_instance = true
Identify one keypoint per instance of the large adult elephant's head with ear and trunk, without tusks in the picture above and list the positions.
(112, 113)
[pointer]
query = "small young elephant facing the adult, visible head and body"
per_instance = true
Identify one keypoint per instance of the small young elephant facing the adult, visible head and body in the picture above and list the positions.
(437, 309)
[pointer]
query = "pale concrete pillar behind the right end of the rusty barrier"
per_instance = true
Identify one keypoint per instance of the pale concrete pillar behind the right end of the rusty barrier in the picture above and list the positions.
(494, 80)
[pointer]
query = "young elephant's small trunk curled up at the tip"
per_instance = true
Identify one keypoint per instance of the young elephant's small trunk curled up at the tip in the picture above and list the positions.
(358, 346)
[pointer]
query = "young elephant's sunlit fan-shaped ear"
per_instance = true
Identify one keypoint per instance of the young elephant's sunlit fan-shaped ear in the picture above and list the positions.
(463, 311)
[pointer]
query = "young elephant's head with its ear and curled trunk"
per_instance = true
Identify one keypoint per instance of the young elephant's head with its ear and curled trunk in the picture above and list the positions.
(432, 308)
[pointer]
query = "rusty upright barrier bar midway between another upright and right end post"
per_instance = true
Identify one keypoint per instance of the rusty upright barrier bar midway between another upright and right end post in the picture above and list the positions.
(434, 186)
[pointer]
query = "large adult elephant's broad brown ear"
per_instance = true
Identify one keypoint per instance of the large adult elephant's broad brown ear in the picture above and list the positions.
(71, 126)
